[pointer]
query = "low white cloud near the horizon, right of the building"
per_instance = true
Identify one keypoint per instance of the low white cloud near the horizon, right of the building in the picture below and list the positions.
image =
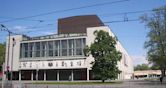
(139, 60)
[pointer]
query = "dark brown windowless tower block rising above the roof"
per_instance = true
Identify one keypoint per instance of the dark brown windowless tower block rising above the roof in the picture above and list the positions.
(78, 24)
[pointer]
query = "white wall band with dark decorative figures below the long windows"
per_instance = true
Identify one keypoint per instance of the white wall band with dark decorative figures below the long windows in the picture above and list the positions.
(56, 64)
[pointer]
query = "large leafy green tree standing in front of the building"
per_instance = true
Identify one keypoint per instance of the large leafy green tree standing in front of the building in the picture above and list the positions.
(105, 56)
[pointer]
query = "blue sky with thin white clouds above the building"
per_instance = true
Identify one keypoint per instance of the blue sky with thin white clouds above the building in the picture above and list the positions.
(131, 34)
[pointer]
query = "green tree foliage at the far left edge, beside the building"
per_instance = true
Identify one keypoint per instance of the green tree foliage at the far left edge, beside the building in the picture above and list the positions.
(2, 54)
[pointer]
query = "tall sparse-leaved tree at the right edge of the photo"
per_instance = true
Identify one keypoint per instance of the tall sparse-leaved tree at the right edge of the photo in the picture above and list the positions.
(156, 43)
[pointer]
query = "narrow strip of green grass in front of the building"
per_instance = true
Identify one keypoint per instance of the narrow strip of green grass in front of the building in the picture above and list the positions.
(79, 83)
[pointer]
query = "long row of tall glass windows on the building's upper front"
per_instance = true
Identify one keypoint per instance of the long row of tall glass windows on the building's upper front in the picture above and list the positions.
(54, 48)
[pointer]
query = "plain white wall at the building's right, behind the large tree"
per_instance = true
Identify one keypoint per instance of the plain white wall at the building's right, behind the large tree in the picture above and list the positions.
(126, 63)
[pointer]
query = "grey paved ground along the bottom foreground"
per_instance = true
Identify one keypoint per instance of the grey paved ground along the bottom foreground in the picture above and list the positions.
(125, 84)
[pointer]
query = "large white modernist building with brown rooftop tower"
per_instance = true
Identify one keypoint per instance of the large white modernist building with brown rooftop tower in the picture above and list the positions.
(60, 56)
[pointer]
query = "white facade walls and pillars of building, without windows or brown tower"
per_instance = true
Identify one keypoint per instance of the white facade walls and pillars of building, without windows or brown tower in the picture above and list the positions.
(63, 62)
